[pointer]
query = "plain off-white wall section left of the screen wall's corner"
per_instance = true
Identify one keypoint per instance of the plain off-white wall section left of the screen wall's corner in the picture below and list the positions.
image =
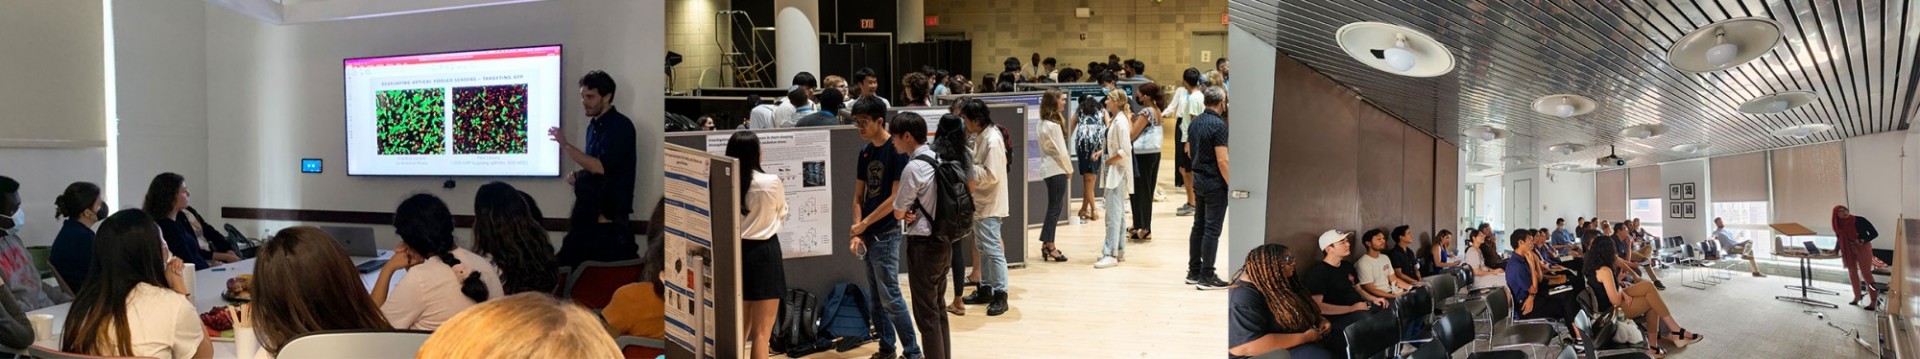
(162, 76)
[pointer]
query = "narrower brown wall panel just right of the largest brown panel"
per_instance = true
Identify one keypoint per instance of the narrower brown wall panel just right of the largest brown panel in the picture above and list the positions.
(1381, 170)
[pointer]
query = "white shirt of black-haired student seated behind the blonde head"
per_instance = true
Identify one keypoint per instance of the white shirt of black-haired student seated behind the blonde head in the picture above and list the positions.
(429, 295)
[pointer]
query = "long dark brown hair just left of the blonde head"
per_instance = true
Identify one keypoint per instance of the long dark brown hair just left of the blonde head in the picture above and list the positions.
(306, 283)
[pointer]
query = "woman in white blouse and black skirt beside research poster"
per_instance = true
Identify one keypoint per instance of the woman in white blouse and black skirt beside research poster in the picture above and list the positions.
(763, 212)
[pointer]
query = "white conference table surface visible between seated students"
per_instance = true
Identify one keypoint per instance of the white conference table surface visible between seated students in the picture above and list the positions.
(208, 289)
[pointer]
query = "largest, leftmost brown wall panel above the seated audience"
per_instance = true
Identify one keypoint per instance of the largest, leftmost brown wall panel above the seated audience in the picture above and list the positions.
(1312, 183)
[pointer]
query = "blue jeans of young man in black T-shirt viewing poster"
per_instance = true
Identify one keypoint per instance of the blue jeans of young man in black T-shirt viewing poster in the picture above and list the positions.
(890, 308)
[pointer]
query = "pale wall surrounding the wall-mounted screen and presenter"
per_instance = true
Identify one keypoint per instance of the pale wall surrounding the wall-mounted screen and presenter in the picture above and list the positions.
(274, 97)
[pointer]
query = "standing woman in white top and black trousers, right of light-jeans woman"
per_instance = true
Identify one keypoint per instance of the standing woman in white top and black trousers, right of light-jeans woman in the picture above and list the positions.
(1145, 139)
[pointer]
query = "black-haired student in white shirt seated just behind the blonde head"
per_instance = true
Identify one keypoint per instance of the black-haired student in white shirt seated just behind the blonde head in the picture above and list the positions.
(443, 279)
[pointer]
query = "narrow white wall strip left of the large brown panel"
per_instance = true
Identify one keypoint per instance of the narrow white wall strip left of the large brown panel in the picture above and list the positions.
(1247, 218)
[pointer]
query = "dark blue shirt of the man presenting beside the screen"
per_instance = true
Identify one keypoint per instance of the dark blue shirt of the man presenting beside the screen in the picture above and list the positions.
(612, 141)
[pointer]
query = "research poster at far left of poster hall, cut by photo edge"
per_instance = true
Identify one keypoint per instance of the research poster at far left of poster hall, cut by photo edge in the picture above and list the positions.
(688, 249)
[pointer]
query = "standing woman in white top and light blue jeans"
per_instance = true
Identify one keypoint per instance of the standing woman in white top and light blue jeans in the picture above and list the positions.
(1116, 178)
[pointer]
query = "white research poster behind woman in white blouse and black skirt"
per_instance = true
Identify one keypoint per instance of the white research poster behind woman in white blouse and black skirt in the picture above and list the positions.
(802, 160)
